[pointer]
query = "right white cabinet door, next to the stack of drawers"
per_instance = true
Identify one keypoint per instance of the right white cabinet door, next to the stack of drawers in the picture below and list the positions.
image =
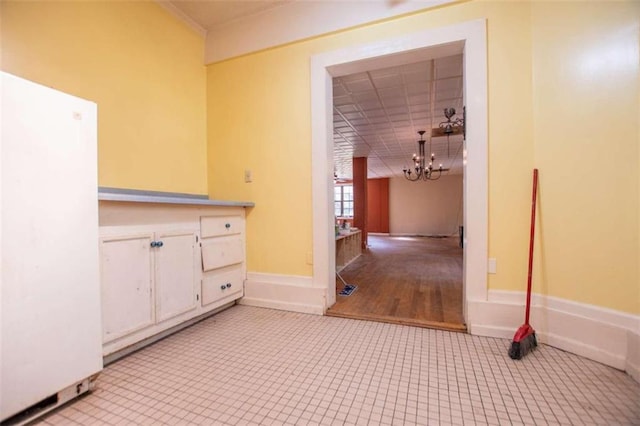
(175, 274)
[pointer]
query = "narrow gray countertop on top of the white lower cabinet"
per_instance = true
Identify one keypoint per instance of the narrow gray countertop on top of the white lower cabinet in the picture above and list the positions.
(137, 196)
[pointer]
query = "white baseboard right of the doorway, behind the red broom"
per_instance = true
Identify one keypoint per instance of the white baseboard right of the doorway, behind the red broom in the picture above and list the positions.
(604, 335)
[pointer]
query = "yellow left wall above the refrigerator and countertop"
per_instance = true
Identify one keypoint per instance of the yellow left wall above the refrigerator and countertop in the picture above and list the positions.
(139, 64)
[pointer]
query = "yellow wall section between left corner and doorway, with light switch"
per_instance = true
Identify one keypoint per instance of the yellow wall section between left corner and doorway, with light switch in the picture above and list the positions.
(256, 122)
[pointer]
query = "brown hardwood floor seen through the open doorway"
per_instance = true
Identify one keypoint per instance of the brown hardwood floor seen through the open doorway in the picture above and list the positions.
(406, 280)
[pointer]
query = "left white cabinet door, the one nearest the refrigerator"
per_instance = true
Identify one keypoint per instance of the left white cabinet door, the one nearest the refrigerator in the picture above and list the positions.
(126, 267)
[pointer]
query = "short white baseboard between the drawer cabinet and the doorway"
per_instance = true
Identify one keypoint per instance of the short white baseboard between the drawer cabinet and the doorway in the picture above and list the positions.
(284, 292)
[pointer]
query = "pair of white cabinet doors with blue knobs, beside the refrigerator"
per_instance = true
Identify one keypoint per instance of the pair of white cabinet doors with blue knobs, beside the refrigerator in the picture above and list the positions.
(146, 278)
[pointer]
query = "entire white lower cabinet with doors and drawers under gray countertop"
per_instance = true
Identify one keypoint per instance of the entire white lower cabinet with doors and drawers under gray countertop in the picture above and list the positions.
(163, 267)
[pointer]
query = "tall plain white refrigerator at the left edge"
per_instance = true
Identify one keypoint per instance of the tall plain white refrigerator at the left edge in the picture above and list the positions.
(50, 341)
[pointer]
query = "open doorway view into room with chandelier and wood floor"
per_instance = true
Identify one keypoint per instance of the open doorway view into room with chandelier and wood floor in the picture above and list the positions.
(381, 114)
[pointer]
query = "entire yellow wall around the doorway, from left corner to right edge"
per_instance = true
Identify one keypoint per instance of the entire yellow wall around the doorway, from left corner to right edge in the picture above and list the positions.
(540, 114)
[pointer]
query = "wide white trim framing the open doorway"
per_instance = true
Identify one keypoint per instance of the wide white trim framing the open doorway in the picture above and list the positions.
(468, 37)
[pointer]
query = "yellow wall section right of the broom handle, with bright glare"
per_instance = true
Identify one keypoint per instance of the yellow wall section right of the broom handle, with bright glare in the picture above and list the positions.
(586, 103)
